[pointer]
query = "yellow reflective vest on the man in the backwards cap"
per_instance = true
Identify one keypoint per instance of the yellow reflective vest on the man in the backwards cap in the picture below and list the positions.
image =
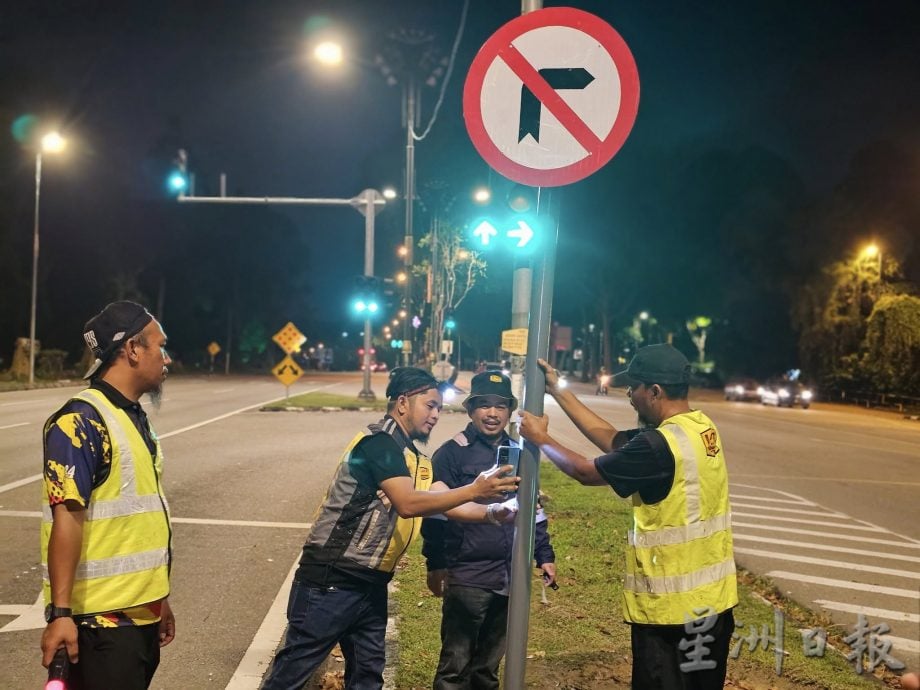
(124, 560)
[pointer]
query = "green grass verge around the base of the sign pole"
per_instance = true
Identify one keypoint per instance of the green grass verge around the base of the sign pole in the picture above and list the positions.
(578, 640)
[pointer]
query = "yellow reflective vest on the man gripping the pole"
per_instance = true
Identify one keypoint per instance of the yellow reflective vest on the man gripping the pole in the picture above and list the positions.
(679, 562)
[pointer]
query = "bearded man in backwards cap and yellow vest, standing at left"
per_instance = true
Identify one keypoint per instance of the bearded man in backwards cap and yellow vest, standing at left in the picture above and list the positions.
(105, 536)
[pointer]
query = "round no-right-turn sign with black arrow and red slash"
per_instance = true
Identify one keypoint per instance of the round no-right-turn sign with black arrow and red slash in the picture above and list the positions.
(551, 97)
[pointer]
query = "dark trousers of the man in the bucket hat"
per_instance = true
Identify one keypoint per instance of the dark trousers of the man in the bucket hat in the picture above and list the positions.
(473, 627)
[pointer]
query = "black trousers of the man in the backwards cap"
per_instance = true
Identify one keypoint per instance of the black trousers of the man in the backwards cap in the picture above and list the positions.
(124, 658)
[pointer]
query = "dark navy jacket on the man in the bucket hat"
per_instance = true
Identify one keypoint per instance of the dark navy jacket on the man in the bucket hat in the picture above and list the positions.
(474, 554)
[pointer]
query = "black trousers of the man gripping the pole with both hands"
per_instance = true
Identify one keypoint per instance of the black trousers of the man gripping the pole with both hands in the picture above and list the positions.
(657, 656)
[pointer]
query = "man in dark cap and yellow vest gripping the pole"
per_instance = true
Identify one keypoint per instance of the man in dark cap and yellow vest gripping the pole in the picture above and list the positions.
(680, 584)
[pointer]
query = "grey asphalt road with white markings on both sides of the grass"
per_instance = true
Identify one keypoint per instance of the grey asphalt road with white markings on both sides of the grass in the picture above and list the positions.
(824, 501)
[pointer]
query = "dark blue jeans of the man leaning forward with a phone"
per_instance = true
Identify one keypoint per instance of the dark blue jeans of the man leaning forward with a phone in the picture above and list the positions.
(317, 619)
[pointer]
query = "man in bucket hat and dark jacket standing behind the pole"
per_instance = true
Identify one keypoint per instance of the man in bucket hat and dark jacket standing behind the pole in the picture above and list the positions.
(469, 563)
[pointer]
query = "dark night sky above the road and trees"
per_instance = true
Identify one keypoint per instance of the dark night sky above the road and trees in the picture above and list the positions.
(750, 119)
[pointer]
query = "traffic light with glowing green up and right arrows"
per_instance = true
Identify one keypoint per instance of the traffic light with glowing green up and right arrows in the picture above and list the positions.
(514, 225)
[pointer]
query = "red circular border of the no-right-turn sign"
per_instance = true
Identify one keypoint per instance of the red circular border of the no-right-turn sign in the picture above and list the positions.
(500, 43)
